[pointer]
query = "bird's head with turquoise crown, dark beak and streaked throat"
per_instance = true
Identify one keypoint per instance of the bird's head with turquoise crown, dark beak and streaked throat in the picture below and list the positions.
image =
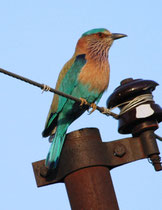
(97, 42)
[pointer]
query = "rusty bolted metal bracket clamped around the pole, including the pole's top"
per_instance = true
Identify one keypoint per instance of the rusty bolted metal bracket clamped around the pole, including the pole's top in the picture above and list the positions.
(84, 148)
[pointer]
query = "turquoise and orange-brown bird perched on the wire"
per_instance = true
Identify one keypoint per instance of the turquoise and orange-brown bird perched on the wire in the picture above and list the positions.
(85, 76)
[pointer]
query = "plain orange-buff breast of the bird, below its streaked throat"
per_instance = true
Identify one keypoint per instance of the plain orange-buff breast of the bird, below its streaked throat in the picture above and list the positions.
(95, 75)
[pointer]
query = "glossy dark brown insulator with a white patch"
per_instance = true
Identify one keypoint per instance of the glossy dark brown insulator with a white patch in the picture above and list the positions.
(133, 121)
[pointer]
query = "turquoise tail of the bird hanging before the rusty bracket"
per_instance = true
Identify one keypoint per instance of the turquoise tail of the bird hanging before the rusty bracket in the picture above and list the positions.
(55, 150)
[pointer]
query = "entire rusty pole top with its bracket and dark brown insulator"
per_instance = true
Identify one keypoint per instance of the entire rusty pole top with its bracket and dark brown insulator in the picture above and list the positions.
(86, 161)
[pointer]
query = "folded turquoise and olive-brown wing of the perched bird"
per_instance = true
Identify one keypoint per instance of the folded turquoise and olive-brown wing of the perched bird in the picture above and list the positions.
(66, 83)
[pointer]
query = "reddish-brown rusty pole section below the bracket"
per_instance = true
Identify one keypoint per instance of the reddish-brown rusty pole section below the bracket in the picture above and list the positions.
(91, 188)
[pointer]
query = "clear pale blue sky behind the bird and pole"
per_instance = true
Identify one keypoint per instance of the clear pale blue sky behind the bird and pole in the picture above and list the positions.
(36, 39)
